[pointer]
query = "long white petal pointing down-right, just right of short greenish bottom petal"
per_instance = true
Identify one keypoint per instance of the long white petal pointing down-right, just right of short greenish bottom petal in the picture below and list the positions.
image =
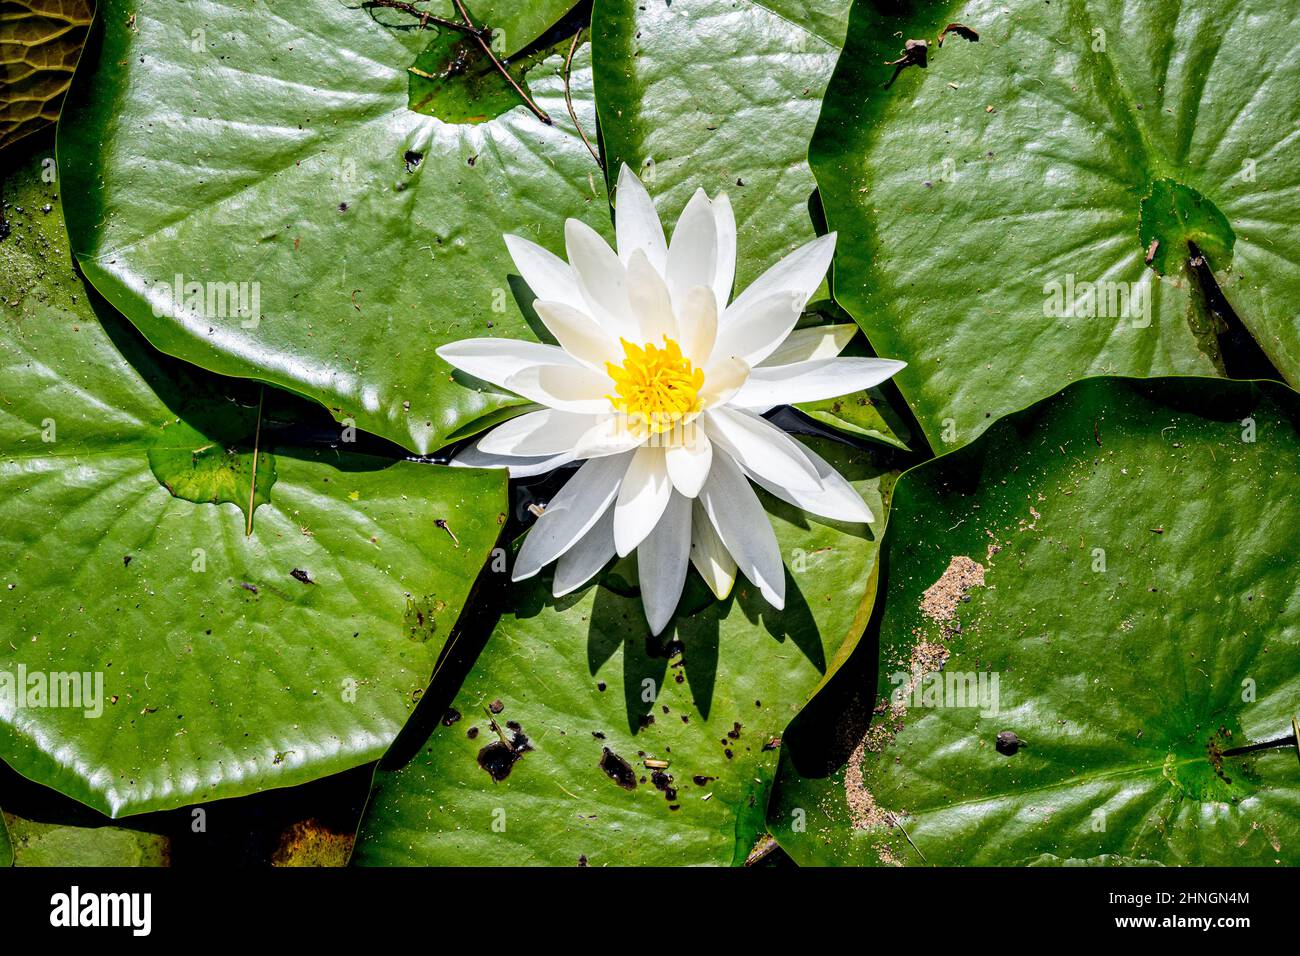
(744, 529)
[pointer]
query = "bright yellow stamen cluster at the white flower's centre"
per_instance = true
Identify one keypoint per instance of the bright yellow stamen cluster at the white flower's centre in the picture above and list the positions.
(660, 387)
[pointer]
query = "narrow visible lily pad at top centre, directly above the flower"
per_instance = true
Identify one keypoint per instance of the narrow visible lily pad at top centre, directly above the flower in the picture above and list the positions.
(721, 96)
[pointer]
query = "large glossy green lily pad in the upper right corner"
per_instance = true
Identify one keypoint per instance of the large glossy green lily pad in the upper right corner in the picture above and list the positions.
(1006, 198)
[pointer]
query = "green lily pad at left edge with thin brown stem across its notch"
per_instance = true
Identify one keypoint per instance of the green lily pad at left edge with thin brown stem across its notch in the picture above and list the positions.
(196, 660)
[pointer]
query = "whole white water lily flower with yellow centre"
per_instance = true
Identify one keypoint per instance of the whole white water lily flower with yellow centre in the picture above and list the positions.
(660, 386)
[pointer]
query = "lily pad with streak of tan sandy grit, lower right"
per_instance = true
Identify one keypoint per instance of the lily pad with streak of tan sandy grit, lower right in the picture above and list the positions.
(1081, 615)
